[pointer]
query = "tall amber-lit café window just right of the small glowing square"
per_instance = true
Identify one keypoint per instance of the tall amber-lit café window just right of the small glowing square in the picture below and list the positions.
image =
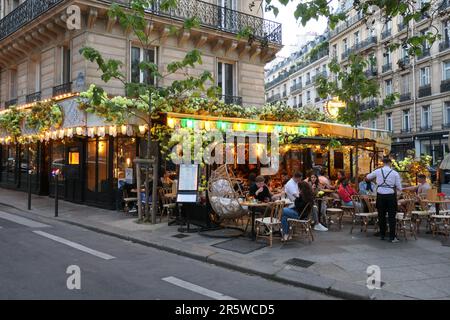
(97, 165)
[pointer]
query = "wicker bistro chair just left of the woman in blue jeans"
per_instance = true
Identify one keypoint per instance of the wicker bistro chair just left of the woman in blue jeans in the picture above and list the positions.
(270, 223)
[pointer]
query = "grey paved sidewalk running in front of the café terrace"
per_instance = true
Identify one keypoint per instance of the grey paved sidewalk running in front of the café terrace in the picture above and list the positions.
(417, 269)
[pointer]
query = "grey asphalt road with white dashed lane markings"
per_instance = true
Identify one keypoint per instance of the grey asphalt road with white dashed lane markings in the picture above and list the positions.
(35, 257)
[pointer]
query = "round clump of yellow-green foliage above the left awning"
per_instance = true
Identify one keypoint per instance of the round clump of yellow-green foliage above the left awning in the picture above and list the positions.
(45, 115)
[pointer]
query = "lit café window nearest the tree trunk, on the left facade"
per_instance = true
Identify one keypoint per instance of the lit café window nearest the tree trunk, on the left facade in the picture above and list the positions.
(125, 153)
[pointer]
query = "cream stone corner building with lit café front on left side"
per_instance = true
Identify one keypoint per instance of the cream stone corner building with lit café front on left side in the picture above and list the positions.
(40, 60)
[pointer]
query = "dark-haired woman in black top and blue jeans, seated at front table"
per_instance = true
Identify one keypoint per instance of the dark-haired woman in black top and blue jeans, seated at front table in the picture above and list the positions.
(306, 198)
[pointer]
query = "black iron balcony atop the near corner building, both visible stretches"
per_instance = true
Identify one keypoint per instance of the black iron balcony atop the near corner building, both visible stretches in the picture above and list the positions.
(209, 16)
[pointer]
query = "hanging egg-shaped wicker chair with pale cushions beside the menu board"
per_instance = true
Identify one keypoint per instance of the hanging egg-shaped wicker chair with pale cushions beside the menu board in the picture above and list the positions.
(224, 194)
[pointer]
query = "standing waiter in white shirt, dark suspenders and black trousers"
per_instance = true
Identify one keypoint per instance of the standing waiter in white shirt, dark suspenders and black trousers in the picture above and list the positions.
(389, 182)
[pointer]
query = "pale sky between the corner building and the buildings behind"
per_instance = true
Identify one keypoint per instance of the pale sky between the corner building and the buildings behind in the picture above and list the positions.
(293, 33)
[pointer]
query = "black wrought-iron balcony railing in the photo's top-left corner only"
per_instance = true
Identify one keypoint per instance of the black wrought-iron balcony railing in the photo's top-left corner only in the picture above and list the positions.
(24, 13)
